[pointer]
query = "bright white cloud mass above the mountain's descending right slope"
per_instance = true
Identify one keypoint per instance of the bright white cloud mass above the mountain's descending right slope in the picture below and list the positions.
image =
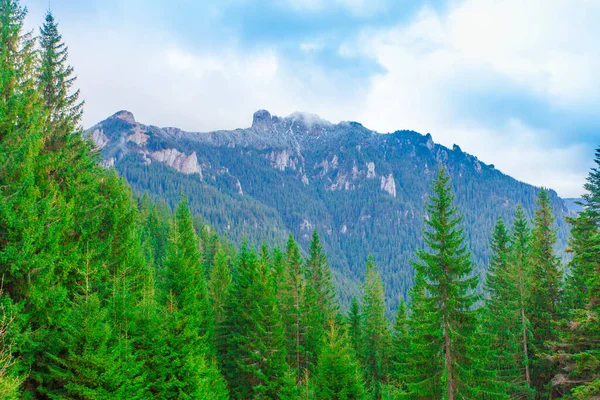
(539, 46)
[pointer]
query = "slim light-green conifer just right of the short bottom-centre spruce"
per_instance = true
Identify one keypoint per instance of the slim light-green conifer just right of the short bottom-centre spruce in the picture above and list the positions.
(376, 339)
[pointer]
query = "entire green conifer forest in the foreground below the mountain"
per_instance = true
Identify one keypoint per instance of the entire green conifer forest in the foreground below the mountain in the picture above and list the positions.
(111, 293)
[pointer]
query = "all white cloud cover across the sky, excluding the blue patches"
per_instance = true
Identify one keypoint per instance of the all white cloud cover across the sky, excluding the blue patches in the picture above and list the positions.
(547, 49)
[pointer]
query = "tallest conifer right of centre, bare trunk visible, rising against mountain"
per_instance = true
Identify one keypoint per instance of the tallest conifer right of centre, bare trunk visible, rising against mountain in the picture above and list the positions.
(443, 300)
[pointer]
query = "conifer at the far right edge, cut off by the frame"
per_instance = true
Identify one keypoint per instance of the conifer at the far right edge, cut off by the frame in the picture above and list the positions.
(578, 349)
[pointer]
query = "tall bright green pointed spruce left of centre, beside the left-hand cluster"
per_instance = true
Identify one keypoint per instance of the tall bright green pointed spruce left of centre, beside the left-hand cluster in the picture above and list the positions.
(181, 364)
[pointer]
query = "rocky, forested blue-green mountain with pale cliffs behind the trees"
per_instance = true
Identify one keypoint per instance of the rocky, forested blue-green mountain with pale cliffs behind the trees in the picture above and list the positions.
(363, 191)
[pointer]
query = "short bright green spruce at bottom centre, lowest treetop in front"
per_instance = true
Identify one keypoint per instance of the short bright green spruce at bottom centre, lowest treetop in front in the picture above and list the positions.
(339, 376)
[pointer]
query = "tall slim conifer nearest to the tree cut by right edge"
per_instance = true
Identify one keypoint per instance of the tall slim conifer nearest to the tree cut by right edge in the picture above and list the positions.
(545, 293)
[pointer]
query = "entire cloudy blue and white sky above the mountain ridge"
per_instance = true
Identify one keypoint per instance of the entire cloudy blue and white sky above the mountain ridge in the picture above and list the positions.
(514, 82)
